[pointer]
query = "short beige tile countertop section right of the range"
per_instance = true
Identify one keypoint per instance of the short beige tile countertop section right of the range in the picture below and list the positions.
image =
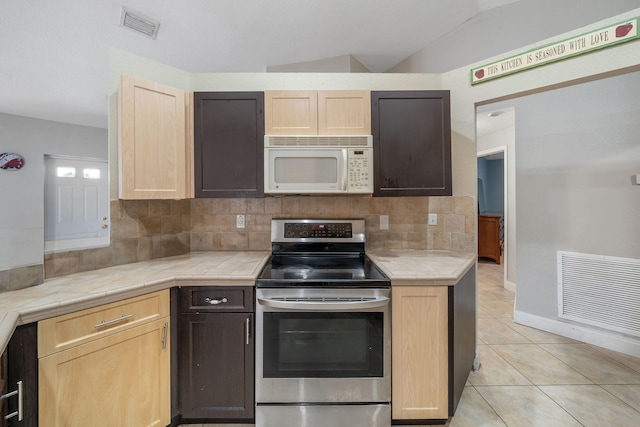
(420, 268)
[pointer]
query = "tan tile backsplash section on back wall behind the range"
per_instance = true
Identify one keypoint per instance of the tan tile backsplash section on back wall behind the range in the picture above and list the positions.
(213, 221)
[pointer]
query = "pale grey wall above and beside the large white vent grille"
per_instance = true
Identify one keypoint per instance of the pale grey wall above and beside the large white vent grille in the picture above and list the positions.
(577, 148)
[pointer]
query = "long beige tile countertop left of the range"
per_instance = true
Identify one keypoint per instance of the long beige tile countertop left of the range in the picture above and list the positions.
(78, 291)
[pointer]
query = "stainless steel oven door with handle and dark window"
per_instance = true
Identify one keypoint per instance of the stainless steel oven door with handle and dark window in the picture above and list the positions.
(323, 346)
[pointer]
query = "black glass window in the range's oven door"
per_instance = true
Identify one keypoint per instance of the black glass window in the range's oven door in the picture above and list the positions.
(323, 345)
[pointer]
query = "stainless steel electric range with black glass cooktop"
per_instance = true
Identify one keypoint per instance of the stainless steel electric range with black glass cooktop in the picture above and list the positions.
(323, 337)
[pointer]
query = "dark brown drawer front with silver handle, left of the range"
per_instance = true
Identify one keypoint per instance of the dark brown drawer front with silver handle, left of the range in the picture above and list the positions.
(216, 298)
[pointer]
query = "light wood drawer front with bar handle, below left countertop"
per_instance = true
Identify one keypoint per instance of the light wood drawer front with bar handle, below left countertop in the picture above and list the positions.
(70, 330)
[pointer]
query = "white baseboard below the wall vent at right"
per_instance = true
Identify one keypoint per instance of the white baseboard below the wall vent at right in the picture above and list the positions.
(587, 334)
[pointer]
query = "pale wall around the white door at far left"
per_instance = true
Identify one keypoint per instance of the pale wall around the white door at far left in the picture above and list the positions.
(22, 191)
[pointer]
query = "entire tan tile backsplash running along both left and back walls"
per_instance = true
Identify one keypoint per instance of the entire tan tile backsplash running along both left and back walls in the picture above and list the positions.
(143, 230)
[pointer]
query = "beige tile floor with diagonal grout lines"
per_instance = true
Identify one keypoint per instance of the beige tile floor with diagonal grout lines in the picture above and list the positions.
(532, 378)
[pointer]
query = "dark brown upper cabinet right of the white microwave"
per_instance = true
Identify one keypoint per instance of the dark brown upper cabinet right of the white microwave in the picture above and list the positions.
(411, 142)
